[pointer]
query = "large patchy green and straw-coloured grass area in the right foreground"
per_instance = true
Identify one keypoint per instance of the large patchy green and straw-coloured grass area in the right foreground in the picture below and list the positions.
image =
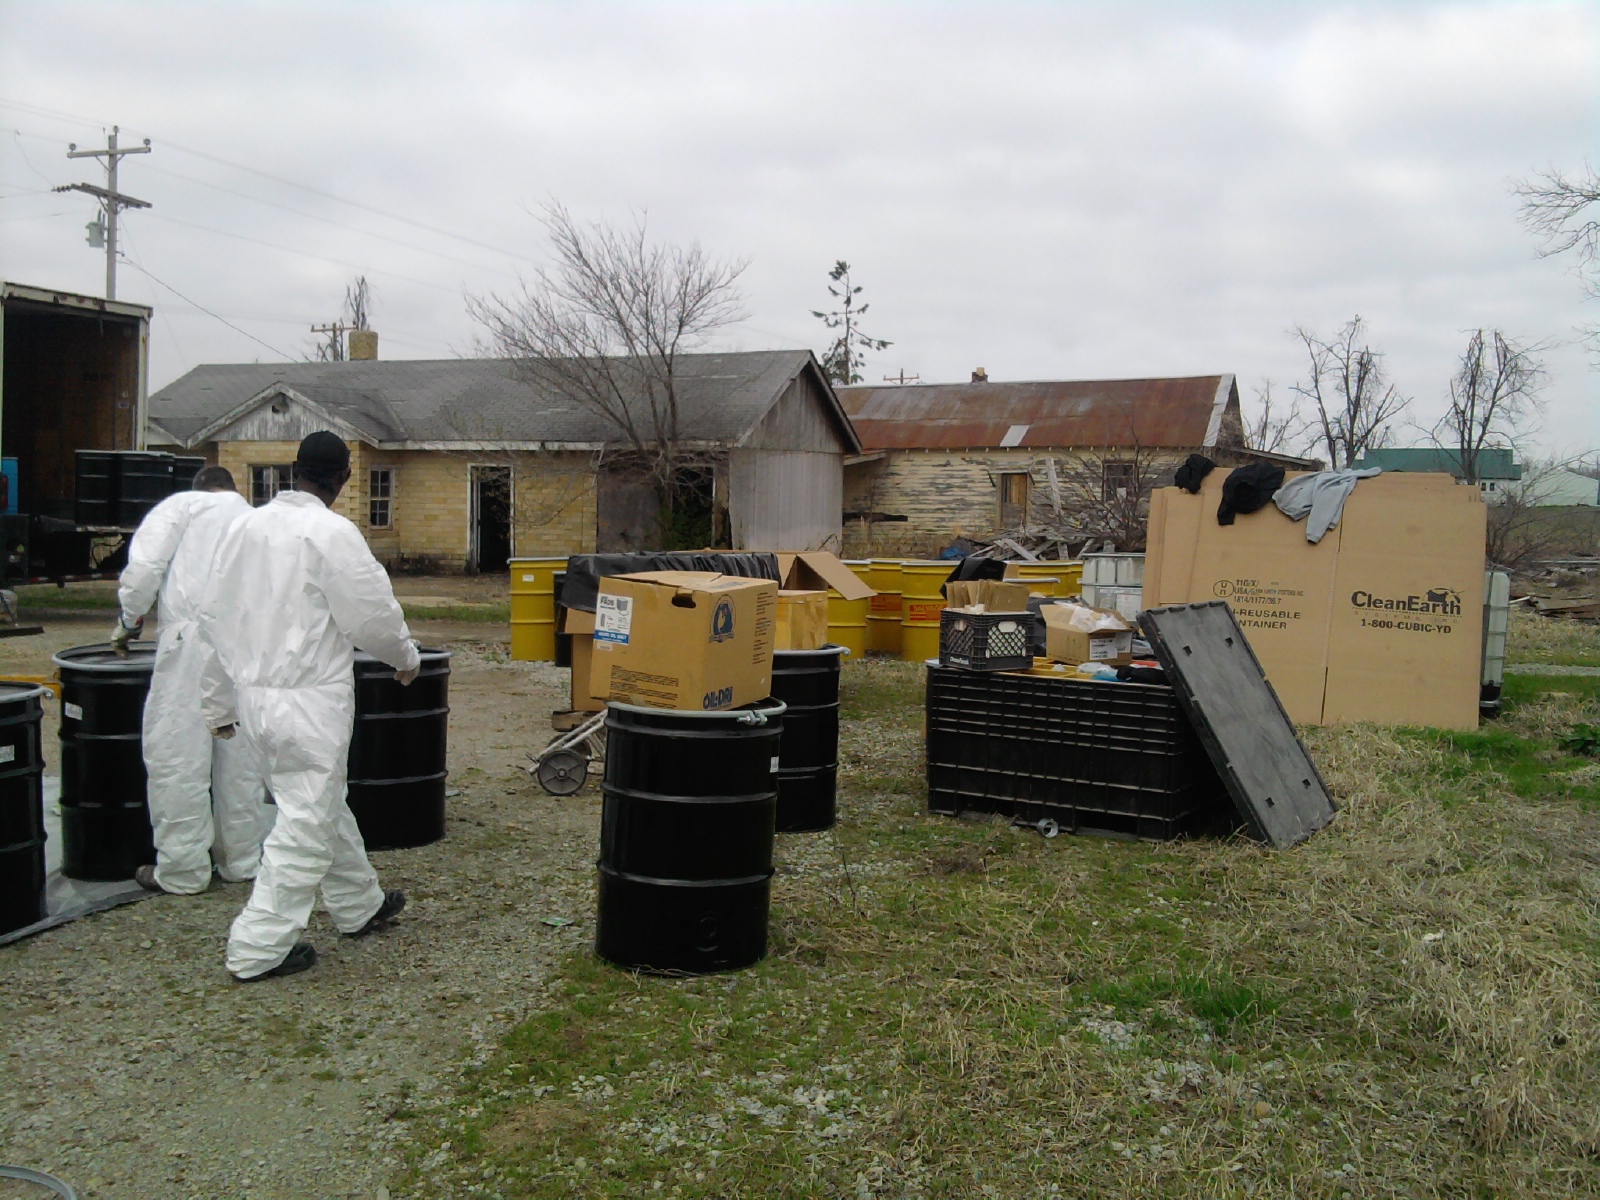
(1402, 1006)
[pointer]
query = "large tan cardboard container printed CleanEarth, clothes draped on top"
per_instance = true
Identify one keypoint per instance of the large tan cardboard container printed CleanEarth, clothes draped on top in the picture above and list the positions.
(1380, 622)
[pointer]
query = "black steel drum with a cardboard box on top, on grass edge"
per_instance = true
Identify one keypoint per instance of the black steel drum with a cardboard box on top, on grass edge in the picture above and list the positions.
(687, 838)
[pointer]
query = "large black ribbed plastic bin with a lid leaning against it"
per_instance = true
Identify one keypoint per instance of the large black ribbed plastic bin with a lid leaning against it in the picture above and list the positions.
(1092, 756)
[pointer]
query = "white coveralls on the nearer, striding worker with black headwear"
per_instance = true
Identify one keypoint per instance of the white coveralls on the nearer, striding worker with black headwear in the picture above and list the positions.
(294, 594)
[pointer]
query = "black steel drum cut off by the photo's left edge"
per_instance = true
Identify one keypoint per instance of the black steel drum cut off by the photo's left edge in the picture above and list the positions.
(22, 807)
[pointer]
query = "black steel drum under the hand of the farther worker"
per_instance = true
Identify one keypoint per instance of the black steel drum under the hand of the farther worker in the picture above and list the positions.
(105, 817)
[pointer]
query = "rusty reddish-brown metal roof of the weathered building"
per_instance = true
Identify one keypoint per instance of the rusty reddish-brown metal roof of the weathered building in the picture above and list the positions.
(1180, 414)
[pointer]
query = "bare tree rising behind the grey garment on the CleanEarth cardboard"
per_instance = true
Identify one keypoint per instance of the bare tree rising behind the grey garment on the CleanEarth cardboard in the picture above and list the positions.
(1351, 398)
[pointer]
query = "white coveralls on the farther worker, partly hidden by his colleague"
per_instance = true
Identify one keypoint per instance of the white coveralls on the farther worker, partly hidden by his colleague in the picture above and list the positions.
(207, 798)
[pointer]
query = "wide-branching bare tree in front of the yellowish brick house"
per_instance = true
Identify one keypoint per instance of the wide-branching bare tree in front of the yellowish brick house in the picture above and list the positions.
(606, 329)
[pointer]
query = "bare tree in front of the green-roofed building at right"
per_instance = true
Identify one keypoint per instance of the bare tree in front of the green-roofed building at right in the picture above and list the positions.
(1494, 393)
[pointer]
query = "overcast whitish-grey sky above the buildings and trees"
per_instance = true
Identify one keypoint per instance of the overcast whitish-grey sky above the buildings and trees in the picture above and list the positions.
(1052, 191)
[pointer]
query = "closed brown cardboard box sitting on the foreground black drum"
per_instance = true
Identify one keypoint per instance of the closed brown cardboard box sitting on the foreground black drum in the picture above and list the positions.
(684, 641)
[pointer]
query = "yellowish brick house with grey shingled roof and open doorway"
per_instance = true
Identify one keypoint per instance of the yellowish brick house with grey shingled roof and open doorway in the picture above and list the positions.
(460, 465)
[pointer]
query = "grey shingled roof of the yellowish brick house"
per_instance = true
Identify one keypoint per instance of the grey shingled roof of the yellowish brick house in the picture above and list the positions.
(434, 404)
